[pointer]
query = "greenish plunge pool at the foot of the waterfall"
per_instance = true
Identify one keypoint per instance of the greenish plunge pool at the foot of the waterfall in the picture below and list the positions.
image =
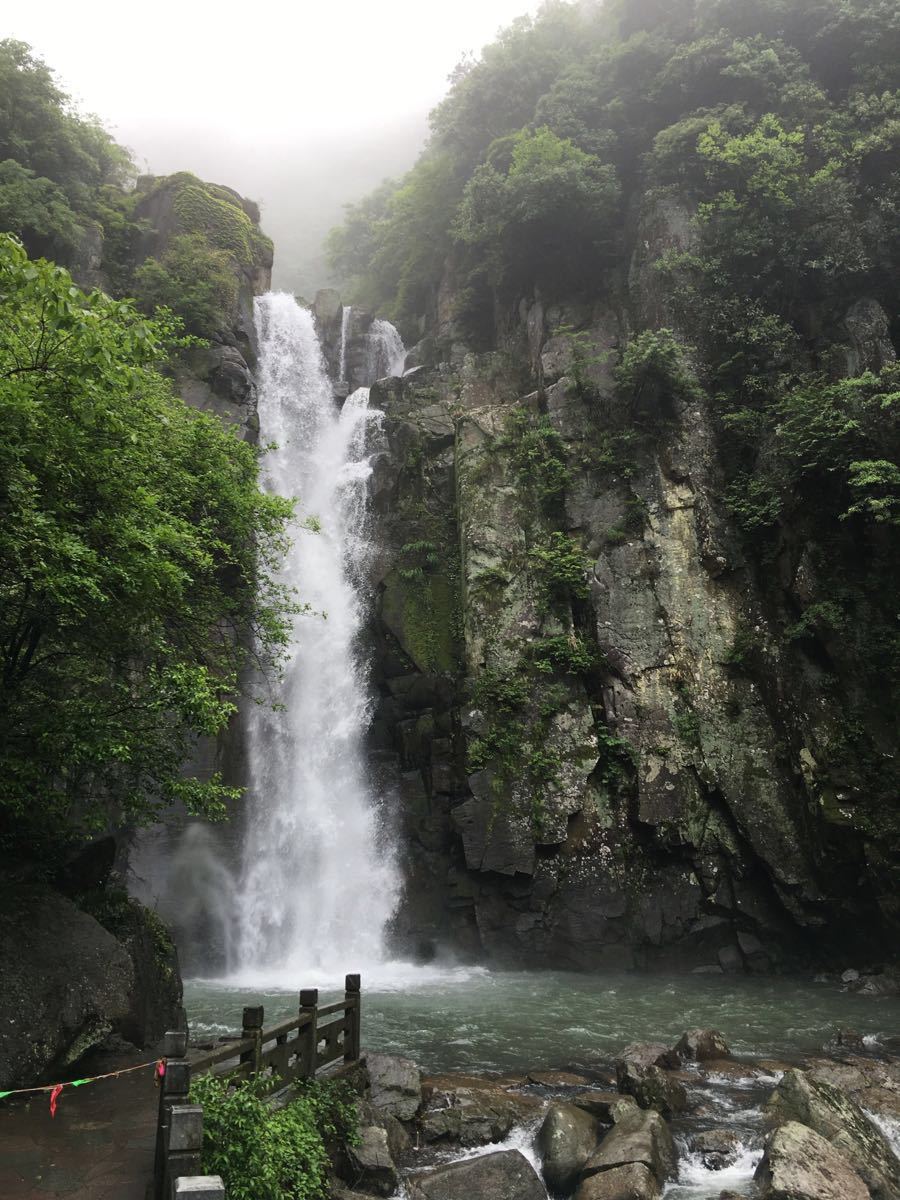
(464, 1019)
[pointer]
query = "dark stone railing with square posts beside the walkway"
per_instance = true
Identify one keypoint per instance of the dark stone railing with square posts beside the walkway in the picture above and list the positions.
(297, 1049)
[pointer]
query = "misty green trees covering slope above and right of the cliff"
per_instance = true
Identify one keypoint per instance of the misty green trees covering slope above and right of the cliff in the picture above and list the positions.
(772, 131)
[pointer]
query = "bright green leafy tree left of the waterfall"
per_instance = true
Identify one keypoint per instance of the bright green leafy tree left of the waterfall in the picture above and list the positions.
(136, 563)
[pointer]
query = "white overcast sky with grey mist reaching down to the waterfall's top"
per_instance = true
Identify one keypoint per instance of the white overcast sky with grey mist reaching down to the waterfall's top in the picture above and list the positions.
(303, 106)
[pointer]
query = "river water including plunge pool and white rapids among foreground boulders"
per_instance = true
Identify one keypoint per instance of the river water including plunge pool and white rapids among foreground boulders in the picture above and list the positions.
(467, 1019)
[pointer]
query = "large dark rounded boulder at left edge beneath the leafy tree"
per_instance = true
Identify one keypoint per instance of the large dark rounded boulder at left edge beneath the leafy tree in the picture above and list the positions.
(65, 985)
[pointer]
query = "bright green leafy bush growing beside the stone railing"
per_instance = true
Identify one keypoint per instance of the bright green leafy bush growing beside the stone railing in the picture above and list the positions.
(267, 1154)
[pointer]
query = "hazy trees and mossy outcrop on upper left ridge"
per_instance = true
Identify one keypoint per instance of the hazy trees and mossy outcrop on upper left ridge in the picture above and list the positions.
(68, 193)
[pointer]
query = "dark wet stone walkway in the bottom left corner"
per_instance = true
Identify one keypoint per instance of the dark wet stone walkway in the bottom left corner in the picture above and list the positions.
(100, 1145)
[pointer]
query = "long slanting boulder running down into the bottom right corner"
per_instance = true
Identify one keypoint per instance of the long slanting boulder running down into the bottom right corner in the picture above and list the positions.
(837, 1118)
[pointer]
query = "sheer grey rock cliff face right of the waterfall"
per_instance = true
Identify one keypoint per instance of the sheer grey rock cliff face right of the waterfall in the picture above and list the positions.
(607, 751)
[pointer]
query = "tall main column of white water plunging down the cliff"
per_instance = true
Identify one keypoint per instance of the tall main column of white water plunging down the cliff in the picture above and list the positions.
(319, 883)
